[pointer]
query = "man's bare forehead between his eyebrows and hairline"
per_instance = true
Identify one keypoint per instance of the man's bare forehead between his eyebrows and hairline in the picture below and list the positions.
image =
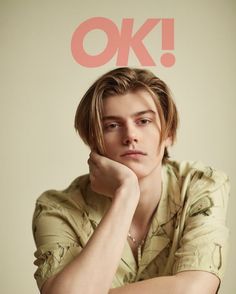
(128, 104)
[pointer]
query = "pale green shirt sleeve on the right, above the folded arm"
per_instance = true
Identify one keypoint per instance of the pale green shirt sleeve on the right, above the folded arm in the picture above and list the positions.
(204, 242)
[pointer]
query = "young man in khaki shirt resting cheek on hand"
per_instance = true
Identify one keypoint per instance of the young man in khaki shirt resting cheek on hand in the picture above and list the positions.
(139, 222)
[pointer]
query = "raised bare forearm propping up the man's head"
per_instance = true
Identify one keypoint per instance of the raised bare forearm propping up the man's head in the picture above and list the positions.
(99, 259)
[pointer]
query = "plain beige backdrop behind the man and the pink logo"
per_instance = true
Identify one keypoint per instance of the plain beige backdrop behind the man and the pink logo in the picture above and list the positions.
(41, 85)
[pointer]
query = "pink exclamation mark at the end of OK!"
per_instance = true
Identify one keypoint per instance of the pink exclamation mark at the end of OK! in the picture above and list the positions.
(168, 59)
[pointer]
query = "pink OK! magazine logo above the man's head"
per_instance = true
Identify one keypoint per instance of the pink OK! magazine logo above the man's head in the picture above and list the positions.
(122, 41)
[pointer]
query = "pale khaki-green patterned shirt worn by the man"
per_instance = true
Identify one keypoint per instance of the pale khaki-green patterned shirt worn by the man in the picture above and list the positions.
(187, 232)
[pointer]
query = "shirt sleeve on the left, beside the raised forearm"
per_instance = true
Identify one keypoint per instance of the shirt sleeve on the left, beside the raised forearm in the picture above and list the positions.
(56, 241)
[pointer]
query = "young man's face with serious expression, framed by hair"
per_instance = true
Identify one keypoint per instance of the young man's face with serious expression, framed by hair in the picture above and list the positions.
(131, 127)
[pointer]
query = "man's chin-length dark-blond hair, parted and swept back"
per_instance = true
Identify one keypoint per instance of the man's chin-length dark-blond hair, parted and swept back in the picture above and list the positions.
(120, 81)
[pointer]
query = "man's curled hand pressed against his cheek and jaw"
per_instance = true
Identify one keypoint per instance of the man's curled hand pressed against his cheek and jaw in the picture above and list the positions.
(110, 177)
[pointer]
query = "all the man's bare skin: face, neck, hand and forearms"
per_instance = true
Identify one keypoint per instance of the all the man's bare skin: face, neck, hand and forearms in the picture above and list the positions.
(130, 174)
